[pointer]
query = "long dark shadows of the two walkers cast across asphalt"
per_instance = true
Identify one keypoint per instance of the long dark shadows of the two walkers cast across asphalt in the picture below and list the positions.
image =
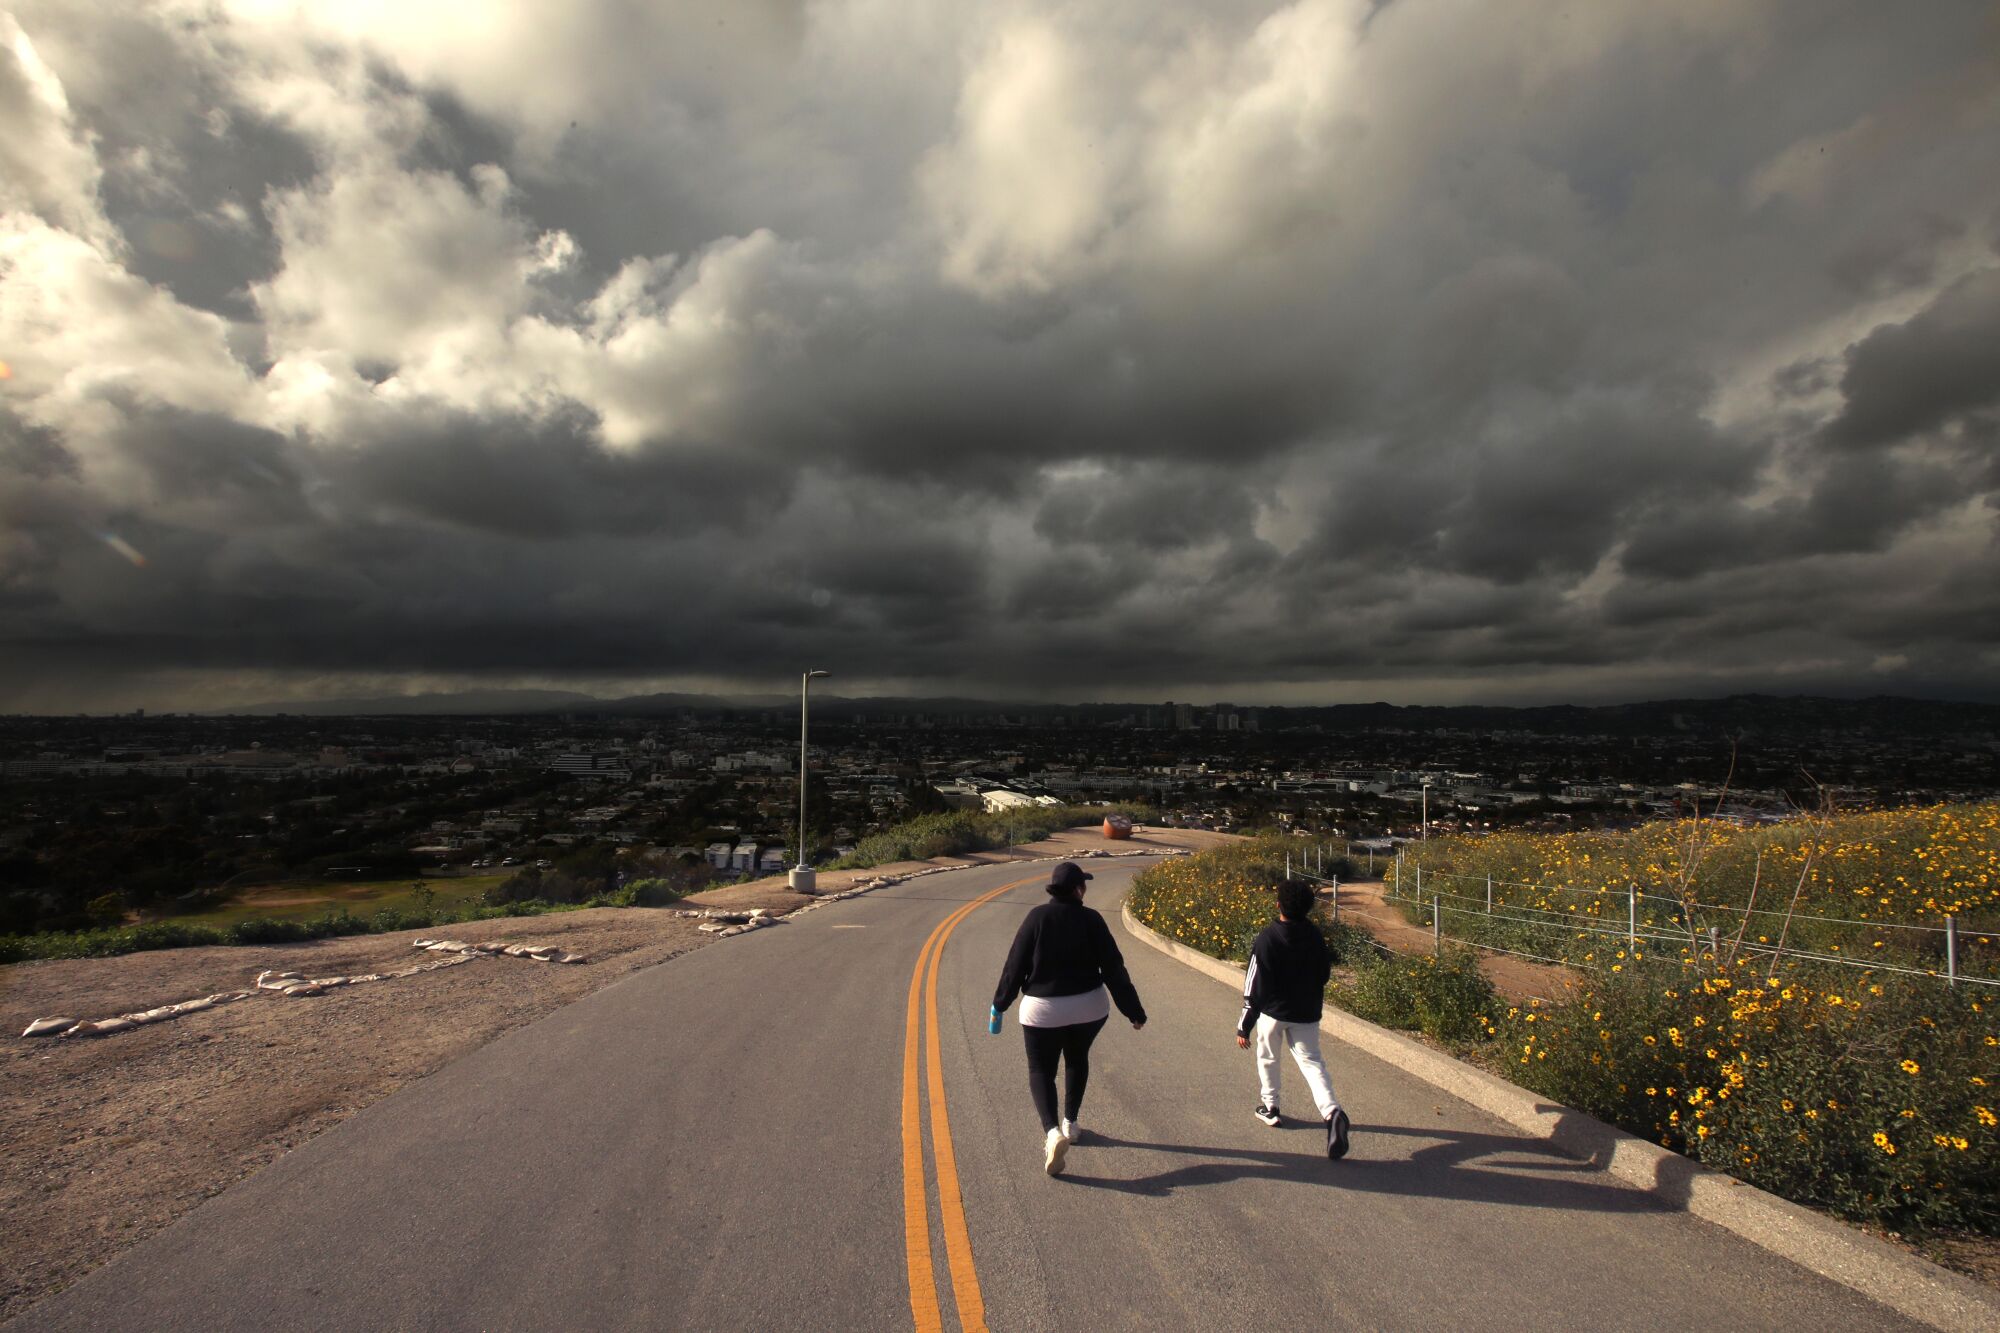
(1453, 1166)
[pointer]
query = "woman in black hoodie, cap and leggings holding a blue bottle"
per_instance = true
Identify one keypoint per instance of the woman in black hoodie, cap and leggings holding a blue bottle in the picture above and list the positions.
(1061, 966)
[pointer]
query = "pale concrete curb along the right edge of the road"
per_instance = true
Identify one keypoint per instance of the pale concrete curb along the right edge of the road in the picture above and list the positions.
(1877, 1270)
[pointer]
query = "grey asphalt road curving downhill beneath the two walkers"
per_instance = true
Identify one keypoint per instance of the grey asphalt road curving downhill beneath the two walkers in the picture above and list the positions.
(719, 1144)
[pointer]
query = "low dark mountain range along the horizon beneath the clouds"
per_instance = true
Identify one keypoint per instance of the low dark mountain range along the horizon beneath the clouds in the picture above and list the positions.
(1735, 716)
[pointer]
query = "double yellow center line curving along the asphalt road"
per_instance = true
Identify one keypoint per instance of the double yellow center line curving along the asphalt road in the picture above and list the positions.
(925, 1306)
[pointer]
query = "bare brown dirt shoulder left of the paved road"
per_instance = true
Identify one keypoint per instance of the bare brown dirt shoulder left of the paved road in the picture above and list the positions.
(113, 1138)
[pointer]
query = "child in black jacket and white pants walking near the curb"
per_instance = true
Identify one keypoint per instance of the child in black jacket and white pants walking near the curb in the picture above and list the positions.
(1283, 1000)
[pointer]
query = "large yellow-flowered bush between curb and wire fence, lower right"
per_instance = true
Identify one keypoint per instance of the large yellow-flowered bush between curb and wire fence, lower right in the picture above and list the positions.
(1865, 1098)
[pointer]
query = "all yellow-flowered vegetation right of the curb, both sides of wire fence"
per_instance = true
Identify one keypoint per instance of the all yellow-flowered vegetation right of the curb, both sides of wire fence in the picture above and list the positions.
(1861, 1090)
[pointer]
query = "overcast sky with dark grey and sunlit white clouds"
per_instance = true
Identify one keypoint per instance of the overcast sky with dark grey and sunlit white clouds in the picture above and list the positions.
(1323, 351)
